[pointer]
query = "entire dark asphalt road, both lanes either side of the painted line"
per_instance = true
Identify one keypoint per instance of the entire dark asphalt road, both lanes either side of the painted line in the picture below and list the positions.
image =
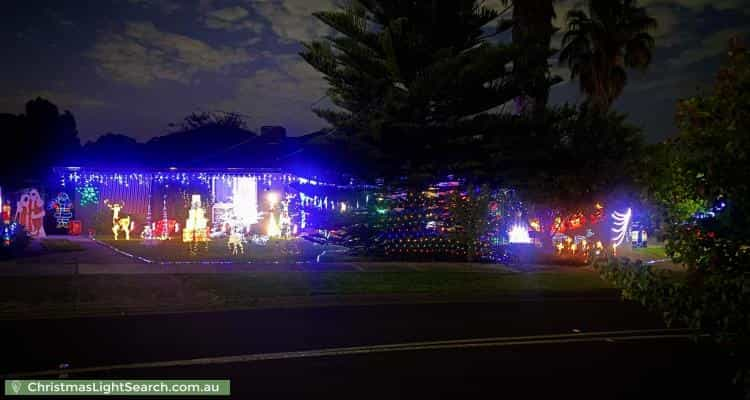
(673, 368)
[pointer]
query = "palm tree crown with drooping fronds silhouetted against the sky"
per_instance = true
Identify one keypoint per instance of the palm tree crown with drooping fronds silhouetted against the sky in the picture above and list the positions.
(601, 44)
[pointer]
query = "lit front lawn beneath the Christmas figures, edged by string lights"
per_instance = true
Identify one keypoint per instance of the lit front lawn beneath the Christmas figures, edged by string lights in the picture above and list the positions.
(217, 250)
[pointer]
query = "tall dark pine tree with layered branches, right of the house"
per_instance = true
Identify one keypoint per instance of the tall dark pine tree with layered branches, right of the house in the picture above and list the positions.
(407, 77)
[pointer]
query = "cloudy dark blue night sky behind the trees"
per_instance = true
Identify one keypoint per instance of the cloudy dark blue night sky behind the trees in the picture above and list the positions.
(133, 66)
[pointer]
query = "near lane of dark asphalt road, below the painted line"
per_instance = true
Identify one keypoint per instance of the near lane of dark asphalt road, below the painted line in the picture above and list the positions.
(643, 370)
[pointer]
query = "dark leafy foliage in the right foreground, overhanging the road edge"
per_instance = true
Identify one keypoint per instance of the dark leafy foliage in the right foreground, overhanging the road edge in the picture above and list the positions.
(705, 169)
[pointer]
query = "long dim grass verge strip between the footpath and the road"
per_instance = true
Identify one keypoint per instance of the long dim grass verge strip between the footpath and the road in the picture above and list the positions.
(50, 296)
